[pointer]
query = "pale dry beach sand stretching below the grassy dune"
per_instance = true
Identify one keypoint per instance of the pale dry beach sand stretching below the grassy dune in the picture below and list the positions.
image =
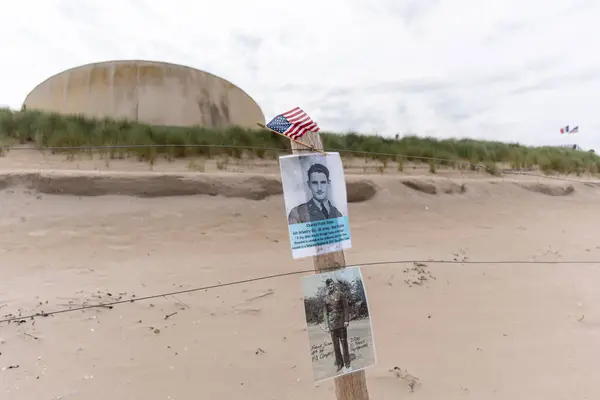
(480, 331)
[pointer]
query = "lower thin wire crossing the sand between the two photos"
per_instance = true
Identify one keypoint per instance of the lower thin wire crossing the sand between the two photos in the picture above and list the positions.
(284, 274)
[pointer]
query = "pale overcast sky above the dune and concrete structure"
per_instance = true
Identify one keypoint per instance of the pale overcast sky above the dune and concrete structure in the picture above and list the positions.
(497, 69)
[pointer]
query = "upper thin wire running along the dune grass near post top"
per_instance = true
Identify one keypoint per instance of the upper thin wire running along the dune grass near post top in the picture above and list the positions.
(493, 171)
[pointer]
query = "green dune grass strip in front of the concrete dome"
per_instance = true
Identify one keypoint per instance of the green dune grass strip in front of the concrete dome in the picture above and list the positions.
(150, 142)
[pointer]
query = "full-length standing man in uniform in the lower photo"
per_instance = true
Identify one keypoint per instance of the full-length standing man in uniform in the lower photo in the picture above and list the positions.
(336, 315)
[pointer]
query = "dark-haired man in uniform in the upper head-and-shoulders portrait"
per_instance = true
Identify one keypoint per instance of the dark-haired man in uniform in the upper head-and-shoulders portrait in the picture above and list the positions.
(319, 207)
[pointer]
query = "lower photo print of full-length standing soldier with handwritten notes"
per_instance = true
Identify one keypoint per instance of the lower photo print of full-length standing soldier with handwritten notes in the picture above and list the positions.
(338, 323)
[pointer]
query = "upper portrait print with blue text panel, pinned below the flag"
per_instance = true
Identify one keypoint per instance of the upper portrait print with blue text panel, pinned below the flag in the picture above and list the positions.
(314, 190)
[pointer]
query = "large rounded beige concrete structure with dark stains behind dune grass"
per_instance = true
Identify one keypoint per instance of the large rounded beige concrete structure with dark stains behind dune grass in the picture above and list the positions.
(149, 92)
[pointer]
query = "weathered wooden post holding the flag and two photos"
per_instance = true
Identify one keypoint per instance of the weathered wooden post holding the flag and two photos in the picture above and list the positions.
(352, 386)
